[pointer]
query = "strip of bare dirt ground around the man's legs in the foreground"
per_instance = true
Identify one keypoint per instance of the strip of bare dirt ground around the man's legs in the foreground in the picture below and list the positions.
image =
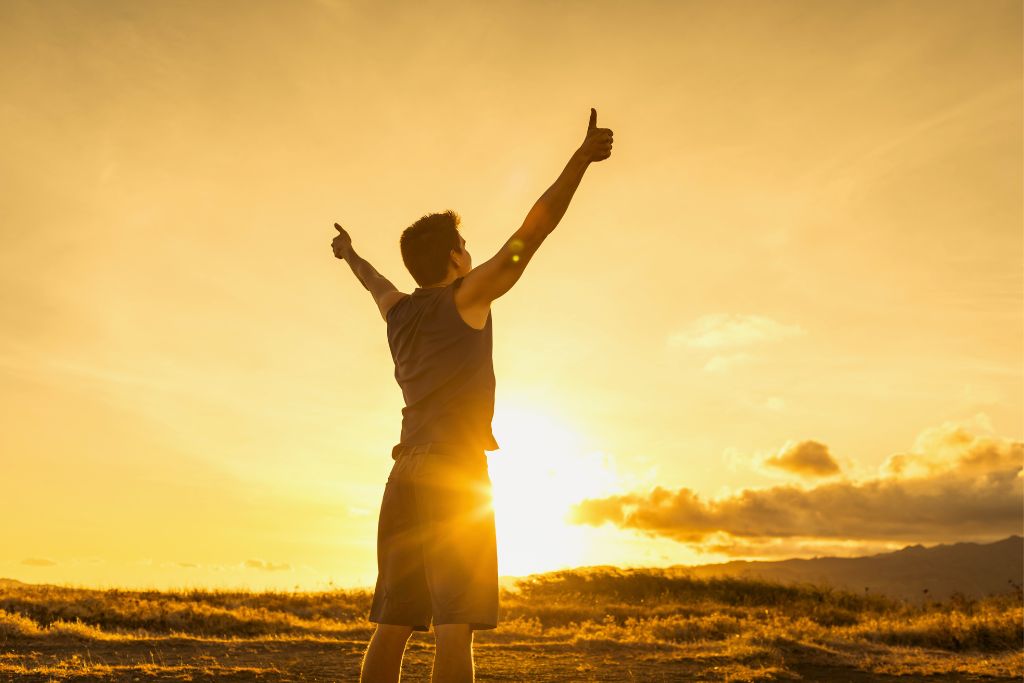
(284, 661)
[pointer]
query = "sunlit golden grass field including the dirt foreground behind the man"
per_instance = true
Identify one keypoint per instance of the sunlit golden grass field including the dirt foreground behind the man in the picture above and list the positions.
(583, 625)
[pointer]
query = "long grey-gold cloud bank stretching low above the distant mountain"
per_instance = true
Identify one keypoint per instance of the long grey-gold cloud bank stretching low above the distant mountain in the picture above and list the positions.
(955, 486)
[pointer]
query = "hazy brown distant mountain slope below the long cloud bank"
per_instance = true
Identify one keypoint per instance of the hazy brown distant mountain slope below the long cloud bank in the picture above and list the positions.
(971, 569)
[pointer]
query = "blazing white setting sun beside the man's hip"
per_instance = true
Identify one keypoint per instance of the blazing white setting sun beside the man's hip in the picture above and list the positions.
(537, 476)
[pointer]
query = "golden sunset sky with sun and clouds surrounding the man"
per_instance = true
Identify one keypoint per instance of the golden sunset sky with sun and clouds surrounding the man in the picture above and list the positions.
(797, 282)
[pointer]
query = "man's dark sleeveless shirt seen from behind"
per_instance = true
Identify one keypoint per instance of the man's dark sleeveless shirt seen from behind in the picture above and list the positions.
(445, 369)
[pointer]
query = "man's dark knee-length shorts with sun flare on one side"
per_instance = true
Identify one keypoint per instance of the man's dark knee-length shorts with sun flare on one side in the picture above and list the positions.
(437, 547)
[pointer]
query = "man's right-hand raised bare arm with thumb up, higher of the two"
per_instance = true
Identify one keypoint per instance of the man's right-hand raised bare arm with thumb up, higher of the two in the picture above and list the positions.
(497, 276)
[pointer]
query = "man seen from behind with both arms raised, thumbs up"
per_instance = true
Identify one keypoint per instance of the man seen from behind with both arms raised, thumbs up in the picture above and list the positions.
(437, 552)
